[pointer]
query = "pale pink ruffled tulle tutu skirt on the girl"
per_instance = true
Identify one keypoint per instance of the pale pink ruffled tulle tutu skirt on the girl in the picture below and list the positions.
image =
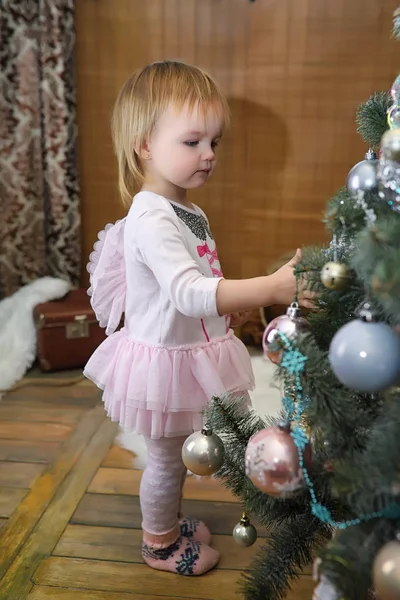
(162, 392)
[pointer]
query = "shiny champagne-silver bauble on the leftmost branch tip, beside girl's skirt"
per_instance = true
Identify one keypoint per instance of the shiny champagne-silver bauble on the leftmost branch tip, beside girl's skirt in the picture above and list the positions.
(203, 452)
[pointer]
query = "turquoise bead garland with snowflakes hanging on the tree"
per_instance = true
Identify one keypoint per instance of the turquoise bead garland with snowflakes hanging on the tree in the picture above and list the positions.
(293, 361)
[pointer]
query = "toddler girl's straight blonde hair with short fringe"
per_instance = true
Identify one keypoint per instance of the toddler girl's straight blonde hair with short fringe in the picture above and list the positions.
(142, 100)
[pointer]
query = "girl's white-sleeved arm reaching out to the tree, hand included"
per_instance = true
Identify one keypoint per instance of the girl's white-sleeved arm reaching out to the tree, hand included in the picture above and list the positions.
(163, 249)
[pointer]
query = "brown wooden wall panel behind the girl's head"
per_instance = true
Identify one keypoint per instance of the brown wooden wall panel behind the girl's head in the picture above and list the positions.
(294, 72)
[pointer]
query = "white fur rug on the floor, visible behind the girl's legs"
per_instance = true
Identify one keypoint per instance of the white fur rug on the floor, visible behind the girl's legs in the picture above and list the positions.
(266, 400)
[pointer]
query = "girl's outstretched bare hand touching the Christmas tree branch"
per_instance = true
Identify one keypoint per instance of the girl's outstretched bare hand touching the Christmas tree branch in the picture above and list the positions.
(284, 282)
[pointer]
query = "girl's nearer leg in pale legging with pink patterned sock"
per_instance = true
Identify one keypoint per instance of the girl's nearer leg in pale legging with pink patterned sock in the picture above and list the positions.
(163, 546)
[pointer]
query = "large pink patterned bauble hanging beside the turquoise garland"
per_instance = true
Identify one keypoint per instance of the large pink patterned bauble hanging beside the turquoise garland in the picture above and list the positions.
(272, 461)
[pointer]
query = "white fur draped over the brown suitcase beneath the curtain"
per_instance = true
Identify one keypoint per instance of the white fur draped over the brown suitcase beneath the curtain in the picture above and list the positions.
(17, 327)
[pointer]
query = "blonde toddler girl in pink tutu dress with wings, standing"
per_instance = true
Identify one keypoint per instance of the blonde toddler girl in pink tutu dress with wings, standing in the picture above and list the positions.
(159, 267)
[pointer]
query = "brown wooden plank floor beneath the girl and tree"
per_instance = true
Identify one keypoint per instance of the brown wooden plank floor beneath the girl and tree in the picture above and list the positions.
(69, 509)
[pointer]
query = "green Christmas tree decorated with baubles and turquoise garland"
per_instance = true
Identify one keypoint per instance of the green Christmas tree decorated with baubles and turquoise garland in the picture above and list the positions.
(325, 479)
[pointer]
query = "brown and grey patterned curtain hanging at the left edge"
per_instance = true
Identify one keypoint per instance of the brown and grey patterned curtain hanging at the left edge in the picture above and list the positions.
(39, 193)
